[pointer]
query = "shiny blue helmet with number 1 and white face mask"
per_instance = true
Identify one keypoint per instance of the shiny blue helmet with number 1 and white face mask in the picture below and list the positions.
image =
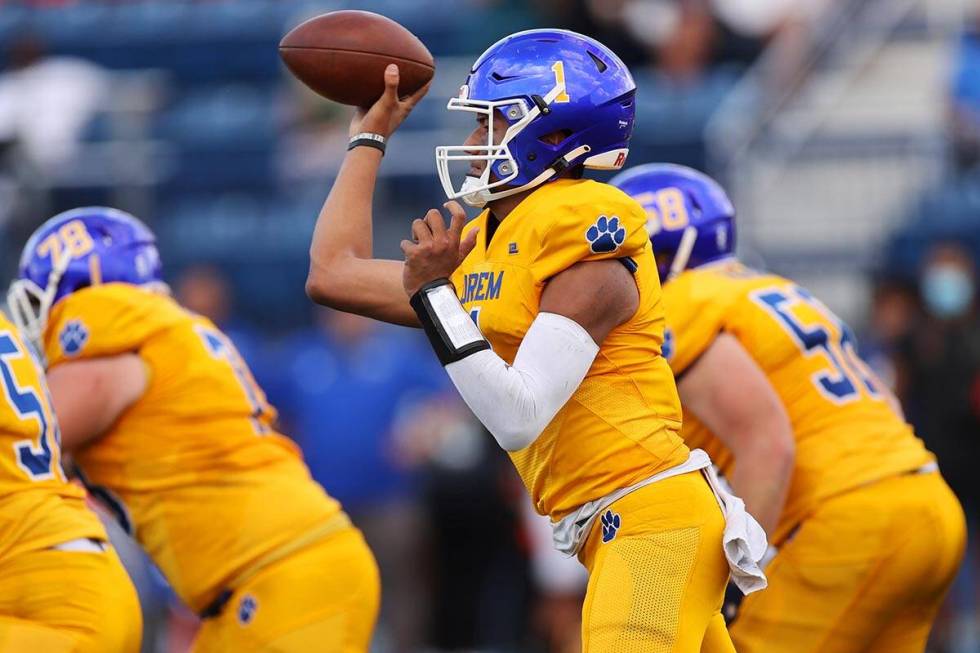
(543, 82)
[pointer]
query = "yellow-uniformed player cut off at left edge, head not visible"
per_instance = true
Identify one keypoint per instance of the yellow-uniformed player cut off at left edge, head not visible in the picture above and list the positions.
(62, 587)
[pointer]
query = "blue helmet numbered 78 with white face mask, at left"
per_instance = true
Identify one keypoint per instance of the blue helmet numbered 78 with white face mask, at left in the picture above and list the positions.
(76, 249)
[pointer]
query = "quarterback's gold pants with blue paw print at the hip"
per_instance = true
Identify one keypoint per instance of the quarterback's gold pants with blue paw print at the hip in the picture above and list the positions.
(657, 582)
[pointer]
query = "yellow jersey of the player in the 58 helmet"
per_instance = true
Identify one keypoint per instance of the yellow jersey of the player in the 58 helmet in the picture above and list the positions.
(845, 430)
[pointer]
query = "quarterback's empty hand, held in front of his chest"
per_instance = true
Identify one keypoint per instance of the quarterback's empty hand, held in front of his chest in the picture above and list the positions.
(435, 251)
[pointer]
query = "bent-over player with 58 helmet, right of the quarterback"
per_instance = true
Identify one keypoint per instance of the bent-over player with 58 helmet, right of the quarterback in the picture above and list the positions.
(869, 536)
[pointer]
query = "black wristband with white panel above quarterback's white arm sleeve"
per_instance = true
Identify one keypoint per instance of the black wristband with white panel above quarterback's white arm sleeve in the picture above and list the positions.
(452, 332)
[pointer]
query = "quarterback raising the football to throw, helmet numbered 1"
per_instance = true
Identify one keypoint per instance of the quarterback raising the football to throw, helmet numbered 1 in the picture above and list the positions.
(546, 313)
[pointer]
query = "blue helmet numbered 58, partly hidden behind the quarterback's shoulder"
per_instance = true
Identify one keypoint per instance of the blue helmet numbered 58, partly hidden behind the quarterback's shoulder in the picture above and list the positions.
(691, 220)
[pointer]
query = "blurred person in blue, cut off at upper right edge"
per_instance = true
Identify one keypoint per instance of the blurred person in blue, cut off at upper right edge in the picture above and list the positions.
(965, 99)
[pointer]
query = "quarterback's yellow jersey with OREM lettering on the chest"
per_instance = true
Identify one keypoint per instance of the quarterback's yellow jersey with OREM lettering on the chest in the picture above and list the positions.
(621, 425)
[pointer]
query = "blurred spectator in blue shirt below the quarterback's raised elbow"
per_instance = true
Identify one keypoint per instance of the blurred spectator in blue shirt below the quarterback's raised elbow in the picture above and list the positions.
(343, 388)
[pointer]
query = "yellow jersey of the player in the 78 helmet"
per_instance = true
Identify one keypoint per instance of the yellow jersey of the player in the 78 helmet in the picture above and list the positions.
(195, 468)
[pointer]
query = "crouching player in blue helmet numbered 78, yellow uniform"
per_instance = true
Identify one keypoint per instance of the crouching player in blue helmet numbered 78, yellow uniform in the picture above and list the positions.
(168, 426)
